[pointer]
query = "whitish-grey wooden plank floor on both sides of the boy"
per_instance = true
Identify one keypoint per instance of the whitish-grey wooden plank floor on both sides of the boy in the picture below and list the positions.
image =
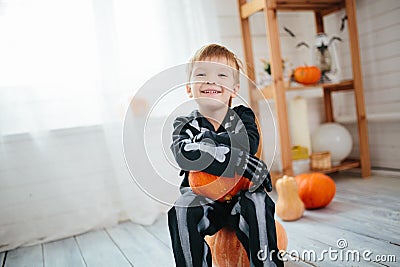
(364, 215)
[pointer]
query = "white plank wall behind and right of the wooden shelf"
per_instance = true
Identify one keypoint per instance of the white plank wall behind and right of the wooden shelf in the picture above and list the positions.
(378, 26)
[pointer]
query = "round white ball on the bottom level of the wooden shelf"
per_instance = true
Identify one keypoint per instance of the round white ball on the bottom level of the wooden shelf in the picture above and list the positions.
(334, 138)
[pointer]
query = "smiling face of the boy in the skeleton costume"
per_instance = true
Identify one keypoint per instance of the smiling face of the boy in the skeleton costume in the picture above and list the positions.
(212, 83)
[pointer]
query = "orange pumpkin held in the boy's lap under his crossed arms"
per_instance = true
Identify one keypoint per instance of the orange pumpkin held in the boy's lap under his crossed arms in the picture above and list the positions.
(217, 187)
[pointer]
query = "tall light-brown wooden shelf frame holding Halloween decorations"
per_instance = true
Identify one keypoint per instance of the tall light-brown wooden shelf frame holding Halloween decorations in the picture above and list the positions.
(277, 90)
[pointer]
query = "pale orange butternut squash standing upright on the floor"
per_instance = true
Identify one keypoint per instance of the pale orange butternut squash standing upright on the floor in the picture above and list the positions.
(289, 206)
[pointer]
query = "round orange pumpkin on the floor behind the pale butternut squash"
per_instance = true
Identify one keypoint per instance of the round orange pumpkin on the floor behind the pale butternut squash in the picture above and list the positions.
(316, 190)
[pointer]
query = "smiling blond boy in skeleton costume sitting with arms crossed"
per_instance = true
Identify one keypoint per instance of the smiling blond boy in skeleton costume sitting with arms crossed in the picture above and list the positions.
(221, 141)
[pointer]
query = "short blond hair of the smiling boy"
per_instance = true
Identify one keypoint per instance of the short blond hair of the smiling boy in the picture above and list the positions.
(216, 51)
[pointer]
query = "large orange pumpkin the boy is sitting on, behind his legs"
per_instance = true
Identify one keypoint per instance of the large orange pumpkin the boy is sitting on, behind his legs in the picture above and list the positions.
(227, 251)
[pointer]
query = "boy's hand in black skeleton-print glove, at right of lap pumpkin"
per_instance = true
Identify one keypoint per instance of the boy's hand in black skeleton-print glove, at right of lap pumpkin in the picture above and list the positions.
(255, 170)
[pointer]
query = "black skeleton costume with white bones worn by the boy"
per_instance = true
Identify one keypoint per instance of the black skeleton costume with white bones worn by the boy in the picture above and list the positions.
(229, 150)
